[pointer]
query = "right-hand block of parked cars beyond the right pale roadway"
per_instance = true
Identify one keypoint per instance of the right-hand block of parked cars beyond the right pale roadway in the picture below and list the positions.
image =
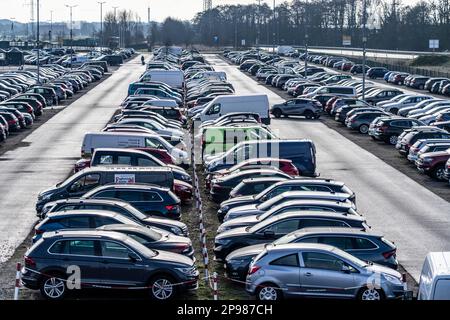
(416, 124)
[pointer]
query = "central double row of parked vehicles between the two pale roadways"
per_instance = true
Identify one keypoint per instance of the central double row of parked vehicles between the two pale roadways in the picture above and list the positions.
(285, 232)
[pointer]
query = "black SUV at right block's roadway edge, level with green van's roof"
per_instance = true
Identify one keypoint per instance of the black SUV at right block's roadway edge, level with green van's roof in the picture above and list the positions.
(388, 130)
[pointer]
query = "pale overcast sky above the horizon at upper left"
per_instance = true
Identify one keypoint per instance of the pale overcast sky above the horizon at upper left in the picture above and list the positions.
(89, 10)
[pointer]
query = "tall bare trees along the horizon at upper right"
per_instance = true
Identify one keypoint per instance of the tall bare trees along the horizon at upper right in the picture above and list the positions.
(390, 23)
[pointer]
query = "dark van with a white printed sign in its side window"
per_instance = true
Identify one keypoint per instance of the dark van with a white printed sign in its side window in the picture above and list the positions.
(88, 179)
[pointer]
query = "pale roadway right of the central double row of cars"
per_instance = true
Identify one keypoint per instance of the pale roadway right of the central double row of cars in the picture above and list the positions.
(413, 217)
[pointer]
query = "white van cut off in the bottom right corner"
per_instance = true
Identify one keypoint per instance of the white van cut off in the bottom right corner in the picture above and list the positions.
(434, 281)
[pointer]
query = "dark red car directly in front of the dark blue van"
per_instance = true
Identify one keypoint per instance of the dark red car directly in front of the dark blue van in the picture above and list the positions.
(284, 165)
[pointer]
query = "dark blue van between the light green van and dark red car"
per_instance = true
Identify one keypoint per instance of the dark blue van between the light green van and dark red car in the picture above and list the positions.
(302, 153)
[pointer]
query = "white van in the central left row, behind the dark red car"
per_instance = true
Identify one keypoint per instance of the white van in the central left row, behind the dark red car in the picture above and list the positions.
(95, 140)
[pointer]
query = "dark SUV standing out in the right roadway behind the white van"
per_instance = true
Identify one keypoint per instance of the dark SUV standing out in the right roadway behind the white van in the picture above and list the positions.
(309, 108)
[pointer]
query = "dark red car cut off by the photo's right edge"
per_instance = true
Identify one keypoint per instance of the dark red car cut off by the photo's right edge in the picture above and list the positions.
(434, 164)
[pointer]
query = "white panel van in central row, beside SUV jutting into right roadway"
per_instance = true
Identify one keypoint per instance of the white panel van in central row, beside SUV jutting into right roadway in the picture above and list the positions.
(223, 105)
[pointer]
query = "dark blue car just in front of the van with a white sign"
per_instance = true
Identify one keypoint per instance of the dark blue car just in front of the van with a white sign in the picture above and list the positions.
(151, 200)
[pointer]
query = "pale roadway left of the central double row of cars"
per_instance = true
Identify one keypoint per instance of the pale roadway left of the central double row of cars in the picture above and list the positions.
(47, 156)
